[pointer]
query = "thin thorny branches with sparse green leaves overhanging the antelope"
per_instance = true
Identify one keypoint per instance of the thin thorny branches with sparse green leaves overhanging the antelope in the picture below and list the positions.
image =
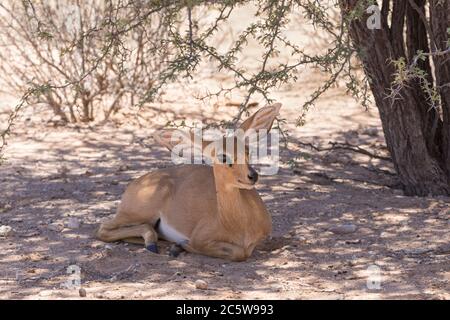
(186, 41)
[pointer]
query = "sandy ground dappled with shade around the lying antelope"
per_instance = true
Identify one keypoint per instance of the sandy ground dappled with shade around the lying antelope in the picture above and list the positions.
(56, 175)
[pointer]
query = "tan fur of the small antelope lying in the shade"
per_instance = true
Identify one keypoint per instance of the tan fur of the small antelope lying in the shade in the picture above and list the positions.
(216, 207)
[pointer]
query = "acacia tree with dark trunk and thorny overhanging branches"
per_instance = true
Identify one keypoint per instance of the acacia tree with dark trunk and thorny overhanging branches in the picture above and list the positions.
(405, 63)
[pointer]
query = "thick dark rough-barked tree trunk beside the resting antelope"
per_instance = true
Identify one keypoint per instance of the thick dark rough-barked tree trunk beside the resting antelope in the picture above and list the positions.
(417, 138)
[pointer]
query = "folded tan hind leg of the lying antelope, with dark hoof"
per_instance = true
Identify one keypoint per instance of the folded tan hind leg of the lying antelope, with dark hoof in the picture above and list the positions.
(109, 231)
